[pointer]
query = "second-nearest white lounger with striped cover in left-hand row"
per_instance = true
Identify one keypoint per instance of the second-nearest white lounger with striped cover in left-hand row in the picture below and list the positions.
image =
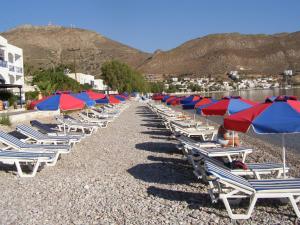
(15, 143)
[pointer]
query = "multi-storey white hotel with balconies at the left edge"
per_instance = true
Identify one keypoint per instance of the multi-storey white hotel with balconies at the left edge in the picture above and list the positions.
(11, 66)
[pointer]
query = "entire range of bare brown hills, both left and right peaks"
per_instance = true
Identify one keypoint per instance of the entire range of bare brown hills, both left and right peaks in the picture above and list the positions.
(210, 55)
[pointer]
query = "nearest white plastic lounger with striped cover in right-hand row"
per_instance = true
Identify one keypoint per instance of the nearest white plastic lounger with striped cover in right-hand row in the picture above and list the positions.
(232, 187)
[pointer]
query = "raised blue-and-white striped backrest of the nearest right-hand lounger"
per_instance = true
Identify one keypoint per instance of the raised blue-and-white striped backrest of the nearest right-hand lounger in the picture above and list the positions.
(227, 176)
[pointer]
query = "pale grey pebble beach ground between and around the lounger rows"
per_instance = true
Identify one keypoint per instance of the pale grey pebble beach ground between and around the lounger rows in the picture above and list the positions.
(128, 173)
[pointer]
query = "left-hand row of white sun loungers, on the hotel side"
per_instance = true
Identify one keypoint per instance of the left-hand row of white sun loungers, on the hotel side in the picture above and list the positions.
(44, 144)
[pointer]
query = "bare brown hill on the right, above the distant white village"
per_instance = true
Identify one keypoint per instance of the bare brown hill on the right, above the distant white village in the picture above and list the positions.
(220, 53)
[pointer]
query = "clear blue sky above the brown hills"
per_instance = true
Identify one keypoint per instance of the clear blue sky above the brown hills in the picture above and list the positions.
(156, 24)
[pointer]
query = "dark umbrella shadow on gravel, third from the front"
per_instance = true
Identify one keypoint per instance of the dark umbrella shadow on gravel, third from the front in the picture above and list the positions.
(158, 147)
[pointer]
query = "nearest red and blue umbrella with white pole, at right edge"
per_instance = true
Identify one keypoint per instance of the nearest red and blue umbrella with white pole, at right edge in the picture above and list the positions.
(279, 115)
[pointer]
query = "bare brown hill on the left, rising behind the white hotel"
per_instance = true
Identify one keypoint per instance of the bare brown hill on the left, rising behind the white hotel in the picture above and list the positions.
(47, 45)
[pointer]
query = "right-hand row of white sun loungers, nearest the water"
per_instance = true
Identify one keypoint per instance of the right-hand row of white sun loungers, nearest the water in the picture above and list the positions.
(231, 180)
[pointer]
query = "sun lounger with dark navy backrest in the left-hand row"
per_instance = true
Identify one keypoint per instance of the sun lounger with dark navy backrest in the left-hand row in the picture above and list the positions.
(45, 129)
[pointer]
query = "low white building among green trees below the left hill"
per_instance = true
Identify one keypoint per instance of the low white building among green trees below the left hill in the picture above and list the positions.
(82, 78)
